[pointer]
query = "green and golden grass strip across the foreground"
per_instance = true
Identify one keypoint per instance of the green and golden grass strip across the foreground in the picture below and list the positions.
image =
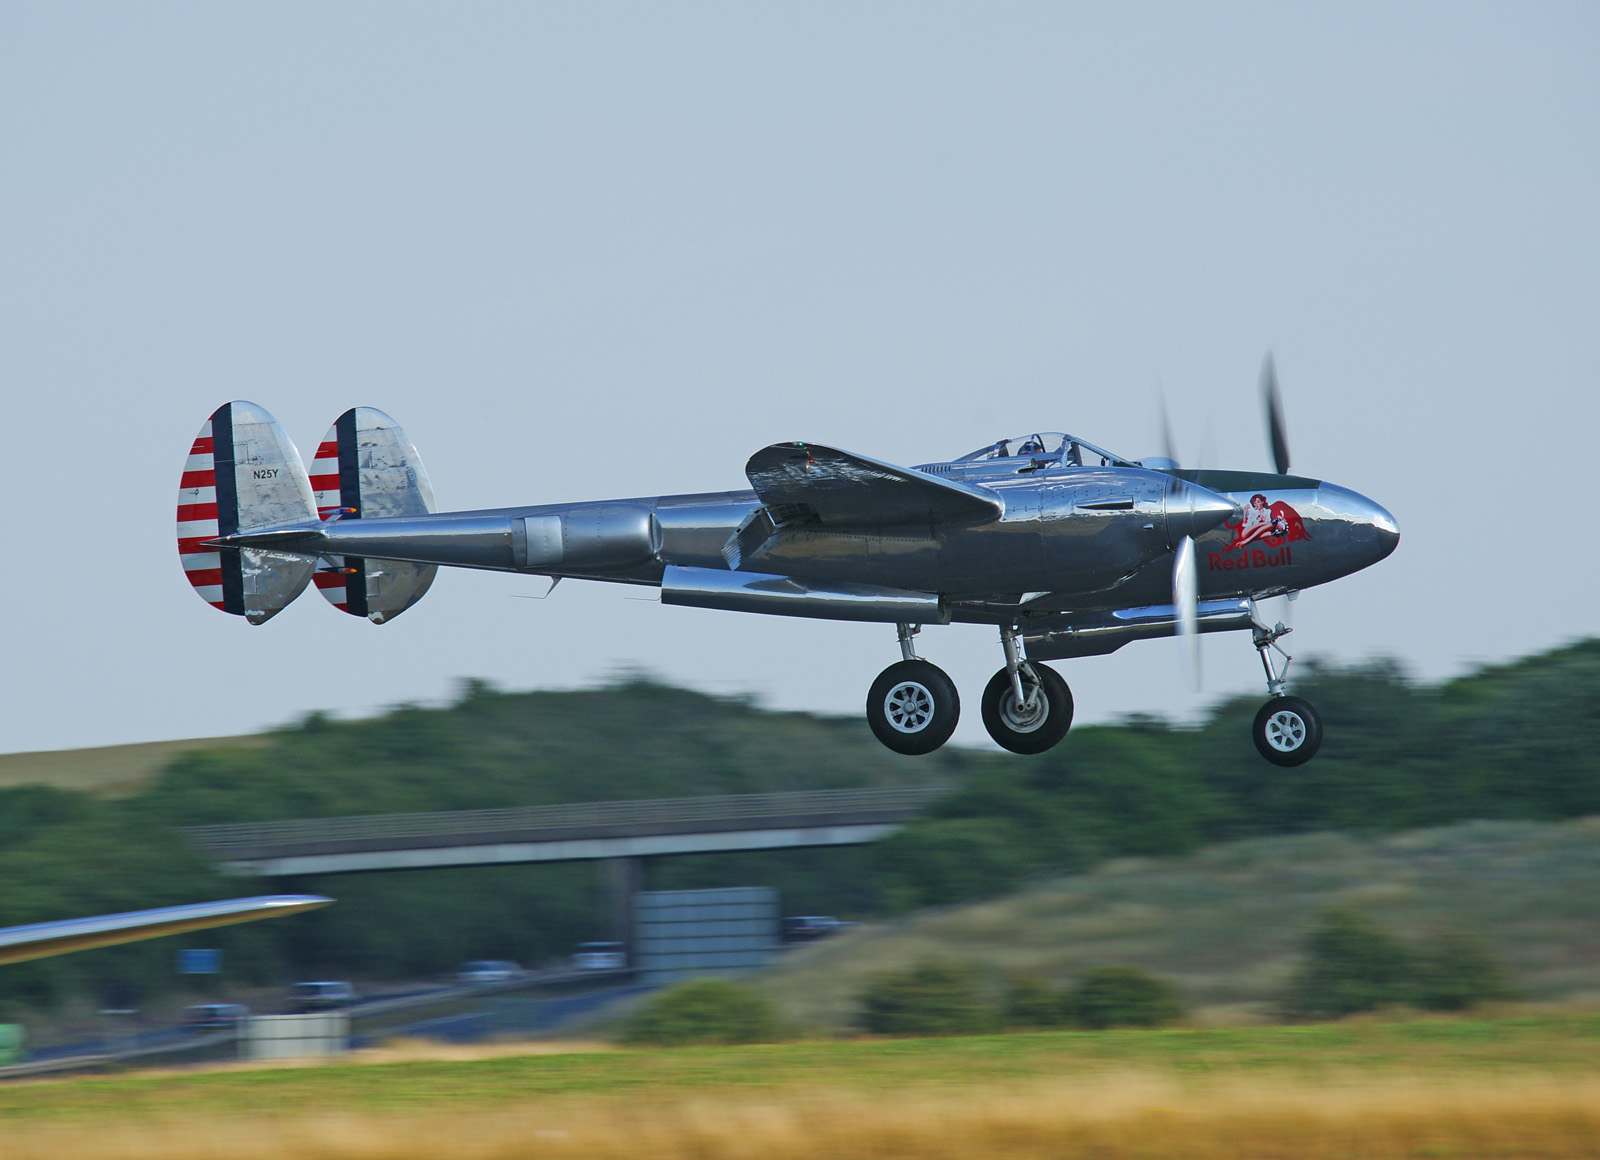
(1498, 1087)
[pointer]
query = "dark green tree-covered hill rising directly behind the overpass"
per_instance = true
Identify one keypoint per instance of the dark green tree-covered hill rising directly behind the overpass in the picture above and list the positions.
(638, 740)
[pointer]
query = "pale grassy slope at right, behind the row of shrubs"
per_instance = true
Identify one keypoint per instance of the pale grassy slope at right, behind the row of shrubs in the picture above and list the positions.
(1226, 926)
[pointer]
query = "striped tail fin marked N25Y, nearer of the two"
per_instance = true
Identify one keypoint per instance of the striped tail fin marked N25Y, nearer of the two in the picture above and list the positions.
(242, 474)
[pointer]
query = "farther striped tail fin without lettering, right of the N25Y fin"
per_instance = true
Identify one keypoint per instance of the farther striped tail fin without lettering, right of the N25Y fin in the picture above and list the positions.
(367, 468)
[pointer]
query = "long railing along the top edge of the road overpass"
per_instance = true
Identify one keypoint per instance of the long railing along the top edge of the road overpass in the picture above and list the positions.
(663, 815)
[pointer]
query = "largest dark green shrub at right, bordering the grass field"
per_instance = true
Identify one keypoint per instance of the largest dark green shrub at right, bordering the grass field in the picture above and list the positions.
(1354, 966)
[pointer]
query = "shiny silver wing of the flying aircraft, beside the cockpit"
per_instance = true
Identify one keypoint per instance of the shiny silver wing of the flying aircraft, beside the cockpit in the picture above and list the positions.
(809, 481)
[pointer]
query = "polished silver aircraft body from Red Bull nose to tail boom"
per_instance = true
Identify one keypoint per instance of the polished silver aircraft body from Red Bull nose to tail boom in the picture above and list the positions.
(1066, 545)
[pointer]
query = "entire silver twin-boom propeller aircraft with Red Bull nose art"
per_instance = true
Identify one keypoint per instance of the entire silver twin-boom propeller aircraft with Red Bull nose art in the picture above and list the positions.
(1063, 546)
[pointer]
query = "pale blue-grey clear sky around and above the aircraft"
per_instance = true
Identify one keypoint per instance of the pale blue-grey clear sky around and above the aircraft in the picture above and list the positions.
(607, 250)
